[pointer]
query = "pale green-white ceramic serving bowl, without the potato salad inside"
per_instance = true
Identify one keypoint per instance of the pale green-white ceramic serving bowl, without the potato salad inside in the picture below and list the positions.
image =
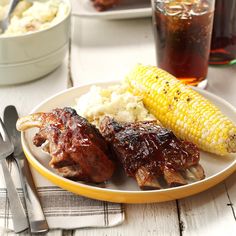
(30, 56)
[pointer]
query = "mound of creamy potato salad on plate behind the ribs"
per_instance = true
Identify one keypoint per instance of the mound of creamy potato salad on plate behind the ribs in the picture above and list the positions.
(114, 101)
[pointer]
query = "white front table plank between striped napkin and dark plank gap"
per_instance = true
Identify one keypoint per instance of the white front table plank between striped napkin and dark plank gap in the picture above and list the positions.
(142, 220)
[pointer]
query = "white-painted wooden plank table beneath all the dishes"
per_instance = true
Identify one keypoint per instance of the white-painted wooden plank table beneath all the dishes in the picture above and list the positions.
(106, 50)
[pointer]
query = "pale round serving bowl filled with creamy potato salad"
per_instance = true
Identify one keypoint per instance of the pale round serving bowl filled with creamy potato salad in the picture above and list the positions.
(35, 41)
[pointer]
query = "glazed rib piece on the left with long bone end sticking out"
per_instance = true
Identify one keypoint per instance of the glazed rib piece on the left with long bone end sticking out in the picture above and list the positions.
(77, 148)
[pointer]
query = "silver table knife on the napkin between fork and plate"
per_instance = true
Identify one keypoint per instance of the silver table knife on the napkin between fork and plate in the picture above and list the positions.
(36, 216)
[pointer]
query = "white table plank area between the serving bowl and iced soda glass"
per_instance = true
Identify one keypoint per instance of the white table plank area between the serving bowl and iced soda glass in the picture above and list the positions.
(106, 50)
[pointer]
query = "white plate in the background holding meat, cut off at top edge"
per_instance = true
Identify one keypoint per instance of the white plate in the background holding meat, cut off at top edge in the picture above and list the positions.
(126, 9)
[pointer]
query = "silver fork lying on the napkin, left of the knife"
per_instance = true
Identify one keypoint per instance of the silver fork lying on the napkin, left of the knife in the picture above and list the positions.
(19, 218)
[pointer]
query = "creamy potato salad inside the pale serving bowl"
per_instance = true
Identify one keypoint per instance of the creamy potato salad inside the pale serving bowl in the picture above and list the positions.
(36, 15)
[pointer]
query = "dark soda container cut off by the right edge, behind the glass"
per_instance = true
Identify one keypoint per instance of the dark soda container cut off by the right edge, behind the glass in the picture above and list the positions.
(223, 45)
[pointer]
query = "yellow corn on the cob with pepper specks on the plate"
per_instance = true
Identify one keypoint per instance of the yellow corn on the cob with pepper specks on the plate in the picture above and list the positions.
(188, 114)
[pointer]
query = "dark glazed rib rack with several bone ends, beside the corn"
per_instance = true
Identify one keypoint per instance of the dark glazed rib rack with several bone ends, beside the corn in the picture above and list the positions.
(151, 154)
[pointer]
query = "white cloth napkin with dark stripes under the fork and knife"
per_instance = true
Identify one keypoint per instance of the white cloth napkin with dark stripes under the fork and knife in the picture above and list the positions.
(63, 210)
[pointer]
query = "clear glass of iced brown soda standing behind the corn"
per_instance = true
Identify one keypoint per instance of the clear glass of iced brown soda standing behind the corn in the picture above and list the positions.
(182, 30)
